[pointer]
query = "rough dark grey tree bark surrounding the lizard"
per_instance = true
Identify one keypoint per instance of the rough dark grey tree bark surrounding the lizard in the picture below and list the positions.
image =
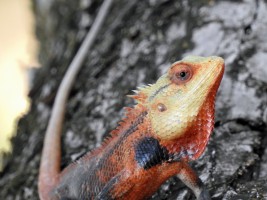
(139, 40)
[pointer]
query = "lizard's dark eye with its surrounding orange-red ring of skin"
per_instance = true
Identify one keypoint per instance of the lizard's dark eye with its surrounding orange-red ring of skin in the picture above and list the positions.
(182, 74)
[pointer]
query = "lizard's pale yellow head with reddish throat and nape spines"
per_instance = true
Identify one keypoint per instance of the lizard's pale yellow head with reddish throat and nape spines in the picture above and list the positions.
(184, 96)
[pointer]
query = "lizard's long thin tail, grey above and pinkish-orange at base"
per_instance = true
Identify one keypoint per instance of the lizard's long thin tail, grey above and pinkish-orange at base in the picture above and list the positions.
(51, 155)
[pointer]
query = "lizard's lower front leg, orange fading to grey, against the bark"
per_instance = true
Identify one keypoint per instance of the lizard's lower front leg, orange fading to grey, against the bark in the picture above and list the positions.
(188, 176)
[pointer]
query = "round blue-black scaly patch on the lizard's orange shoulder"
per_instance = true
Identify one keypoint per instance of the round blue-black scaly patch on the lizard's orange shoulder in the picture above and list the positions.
(148, 152)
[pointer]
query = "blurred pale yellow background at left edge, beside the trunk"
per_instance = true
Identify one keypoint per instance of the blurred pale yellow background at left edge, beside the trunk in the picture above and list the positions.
(18, 53)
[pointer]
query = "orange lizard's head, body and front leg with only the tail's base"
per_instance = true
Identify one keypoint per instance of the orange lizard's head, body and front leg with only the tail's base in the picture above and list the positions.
(169, 126)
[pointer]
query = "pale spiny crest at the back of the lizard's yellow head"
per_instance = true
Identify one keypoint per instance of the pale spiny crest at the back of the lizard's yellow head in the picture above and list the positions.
(142, 93)
